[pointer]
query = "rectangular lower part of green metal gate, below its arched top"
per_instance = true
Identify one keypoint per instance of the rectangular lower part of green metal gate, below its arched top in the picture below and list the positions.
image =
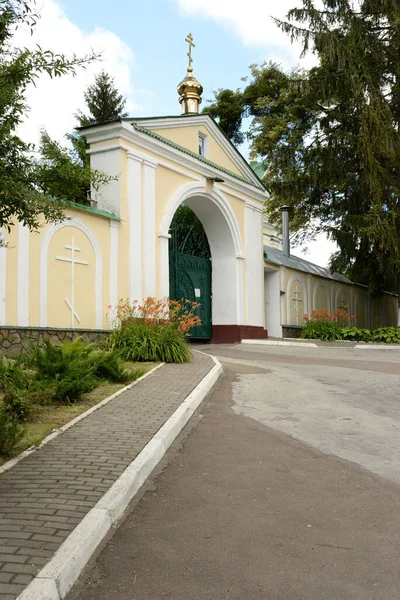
(190, 278)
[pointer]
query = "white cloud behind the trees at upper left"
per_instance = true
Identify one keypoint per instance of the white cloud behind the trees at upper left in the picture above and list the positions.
(53, 102)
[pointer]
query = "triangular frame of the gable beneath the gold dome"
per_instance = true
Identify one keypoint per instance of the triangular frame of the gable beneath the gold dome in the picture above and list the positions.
(147, 124)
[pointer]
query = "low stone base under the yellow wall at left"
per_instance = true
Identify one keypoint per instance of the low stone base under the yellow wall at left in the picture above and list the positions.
(15, 340)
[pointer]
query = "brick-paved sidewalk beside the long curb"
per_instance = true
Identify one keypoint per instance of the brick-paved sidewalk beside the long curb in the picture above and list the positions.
(46, 495)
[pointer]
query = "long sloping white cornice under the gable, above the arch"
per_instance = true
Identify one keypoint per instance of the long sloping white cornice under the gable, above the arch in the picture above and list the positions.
(124, 132)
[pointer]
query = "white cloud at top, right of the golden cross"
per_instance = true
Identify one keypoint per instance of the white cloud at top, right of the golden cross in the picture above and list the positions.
(252, 23)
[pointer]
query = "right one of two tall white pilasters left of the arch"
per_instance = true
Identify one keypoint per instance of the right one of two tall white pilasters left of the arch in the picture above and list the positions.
(149, 228)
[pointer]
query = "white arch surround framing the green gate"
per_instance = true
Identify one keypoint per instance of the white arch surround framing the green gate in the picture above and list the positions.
(226, 248)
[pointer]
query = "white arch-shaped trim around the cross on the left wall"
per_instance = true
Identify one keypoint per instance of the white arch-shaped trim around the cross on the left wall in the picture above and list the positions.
(44, 250)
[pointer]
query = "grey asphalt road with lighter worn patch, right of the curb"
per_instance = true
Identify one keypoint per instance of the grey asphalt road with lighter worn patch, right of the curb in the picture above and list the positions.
(286, 488)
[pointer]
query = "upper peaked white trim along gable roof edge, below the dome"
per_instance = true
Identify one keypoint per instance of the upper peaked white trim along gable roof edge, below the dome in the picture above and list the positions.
(208, 122)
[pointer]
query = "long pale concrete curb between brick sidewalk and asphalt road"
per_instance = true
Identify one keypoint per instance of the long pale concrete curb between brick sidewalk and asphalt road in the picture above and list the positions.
(58, 576)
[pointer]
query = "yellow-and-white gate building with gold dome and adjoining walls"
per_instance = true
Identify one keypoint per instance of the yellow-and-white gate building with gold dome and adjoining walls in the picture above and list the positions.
(68, 274)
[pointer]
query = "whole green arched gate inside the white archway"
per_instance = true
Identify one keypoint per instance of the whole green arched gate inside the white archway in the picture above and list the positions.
(190, 267)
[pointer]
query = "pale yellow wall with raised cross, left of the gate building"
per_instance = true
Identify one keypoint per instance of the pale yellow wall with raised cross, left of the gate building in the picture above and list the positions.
(59, 274)
